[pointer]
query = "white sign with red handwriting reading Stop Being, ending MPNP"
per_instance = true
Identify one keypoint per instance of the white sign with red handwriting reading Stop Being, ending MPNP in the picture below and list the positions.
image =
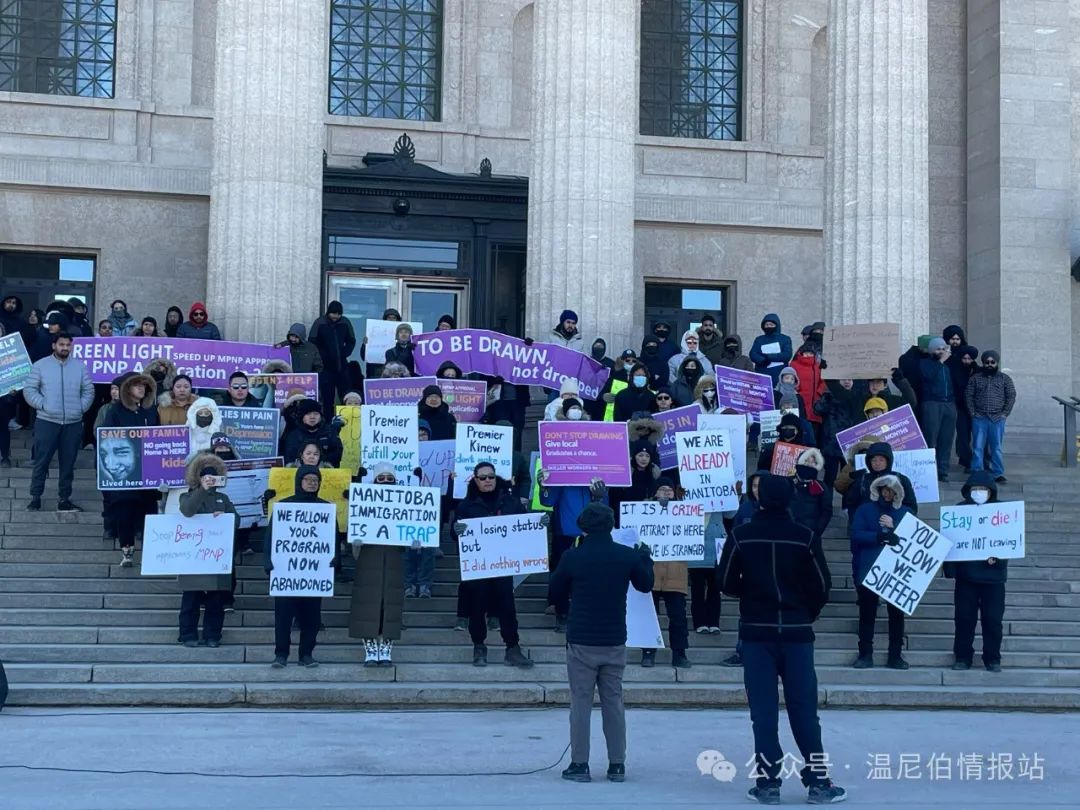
(177, 546)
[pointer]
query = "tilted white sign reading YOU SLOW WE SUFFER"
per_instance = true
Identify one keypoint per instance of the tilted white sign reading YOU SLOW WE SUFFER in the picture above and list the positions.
(902, 574)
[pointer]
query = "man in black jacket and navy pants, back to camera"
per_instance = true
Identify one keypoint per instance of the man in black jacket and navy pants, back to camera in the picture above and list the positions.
(777, 571)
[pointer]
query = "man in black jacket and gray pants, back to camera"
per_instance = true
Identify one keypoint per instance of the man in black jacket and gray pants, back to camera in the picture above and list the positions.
(596, 576)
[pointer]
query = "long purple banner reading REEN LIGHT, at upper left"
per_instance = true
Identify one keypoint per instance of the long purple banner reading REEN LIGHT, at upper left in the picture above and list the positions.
(209, 363)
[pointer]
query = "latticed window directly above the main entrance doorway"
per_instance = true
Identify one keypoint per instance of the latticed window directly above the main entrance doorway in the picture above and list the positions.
(386, 59)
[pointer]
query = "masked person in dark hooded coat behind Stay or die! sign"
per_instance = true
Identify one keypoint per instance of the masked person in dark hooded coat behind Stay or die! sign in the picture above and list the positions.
(980, 590)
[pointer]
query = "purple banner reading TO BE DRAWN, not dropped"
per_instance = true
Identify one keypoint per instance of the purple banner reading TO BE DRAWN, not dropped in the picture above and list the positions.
(493, 355)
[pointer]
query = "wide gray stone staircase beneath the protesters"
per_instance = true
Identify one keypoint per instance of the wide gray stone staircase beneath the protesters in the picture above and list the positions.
(76, 629)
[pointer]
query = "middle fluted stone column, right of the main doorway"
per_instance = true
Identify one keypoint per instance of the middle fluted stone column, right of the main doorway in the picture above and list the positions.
(582, 183)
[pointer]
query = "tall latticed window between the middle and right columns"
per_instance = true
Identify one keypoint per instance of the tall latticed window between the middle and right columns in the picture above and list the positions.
(692, 69)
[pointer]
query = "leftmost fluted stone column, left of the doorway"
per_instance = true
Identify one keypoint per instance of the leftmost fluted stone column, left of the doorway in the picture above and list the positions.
(266, 186)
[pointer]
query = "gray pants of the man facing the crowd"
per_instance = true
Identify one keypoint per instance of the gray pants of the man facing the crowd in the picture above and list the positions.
(589, 669)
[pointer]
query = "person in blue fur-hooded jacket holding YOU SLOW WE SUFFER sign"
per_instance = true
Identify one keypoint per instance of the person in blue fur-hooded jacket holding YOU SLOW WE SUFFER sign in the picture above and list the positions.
(873, 529)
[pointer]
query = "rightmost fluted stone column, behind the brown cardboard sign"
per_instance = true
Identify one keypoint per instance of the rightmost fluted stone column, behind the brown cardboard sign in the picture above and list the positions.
(877, 229)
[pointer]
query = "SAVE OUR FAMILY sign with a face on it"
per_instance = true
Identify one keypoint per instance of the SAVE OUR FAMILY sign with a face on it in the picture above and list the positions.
(142, 458)
